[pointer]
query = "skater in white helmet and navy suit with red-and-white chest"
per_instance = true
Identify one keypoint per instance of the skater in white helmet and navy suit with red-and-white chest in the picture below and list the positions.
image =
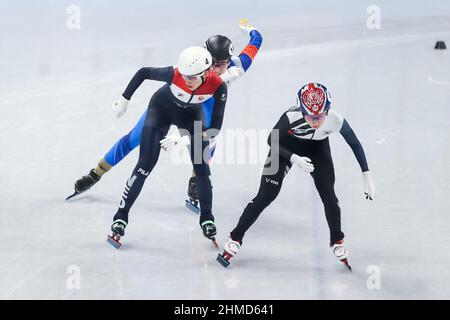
(178, 102)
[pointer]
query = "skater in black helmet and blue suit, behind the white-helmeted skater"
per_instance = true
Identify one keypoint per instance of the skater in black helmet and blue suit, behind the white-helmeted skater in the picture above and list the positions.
(225, 64)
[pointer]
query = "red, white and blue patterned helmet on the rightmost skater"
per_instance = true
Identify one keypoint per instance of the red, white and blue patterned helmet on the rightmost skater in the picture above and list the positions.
(313, 99)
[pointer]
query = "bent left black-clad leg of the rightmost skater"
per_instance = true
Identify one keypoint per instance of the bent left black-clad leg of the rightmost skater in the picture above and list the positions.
(269, 189)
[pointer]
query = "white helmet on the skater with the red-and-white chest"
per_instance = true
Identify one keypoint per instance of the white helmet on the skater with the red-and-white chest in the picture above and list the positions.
(194, 60)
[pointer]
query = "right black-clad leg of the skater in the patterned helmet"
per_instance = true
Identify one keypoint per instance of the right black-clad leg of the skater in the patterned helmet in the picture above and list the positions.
(324, 178)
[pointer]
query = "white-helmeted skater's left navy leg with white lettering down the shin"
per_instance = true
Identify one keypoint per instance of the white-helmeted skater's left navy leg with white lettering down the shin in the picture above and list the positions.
(152, 133)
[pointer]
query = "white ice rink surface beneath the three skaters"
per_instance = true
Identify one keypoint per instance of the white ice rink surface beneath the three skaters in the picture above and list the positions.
(56, 88)
